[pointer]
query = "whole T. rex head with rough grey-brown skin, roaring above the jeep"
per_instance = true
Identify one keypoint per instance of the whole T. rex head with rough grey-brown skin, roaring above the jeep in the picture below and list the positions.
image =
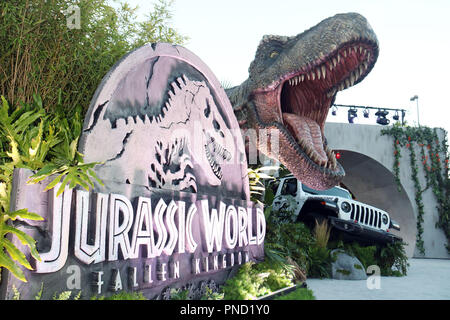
(293, 81)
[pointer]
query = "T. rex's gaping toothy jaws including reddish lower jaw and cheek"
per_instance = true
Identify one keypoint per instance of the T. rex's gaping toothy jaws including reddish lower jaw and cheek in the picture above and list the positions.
(302, 99)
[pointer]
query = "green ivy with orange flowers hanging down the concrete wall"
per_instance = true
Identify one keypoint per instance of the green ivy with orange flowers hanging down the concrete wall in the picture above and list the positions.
(435, 171)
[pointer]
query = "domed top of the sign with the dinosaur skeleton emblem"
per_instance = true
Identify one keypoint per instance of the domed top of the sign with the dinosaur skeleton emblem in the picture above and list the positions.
(164, 126)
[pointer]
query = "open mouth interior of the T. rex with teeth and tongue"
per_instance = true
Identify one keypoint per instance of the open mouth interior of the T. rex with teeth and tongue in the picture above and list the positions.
(306, 96)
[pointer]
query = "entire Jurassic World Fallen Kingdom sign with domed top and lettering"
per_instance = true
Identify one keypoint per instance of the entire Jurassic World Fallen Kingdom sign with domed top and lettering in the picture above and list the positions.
(174, 210)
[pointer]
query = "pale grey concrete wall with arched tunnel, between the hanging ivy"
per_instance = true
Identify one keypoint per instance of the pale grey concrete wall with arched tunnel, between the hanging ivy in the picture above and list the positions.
(368, 159)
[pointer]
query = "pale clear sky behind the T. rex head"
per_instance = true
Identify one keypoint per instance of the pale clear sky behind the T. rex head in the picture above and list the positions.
(413, 37)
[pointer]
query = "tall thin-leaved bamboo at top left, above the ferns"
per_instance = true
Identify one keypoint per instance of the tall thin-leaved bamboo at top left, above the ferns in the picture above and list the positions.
(39, 53)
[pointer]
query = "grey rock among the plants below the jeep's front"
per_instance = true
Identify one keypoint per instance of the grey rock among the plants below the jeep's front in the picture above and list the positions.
(346, 267)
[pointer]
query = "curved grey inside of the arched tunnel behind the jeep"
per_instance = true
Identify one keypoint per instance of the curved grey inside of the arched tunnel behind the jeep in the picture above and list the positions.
(372, 183)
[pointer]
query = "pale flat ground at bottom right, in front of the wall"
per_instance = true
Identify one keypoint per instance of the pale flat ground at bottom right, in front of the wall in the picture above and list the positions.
(427, 279)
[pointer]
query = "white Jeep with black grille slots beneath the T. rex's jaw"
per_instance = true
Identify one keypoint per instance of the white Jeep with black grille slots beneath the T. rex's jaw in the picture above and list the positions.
(354, 219)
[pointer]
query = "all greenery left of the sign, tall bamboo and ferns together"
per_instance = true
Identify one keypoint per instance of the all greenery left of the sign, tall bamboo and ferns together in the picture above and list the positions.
(39, 53)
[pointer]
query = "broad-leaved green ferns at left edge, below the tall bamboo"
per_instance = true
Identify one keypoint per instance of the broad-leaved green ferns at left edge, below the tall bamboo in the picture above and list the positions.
(47, 143)
